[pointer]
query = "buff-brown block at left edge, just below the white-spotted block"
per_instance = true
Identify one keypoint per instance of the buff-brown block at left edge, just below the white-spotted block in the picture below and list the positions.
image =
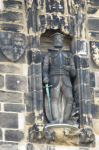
(10, 97)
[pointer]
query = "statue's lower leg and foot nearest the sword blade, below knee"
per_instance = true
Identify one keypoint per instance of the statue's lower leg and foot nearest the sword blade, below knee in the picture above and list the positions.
(55, 118)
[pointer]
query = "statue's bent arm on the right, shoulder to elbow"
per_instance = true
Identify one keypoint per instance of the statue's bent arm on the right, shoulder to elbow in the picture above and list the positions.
(72, 70)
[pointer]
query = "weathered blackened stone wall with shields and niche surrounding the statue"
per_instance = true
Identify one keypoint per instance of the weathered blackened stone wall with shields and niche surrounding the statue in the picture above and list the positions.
(26, 27)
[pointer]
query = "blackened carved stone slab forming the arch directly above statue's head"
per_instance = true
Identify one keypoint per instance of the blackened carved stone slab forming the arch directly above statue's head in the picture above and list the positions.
(65, 23)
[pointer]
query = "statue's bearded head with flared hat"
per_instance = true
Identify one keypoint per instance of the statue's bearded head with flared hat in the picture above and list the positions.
(58, 40)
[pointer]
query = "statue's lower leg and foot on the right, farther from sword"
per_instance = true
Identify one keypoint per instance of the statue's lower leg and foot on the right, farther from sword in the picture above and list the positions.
(68, 109)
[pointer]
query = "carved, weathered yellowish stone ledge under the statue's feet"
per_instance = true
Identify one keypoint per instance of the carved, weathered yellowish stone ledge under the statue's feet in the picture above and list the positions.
(61, 134)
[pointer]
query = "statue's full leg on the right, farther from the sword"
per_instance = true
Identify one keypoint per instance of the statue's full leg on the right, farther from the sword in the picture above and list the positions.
(69, 101)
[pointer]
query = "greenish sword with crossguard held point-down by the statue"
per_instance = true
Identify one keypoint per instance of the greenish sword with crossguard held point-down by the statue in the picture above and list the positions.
(48, 98)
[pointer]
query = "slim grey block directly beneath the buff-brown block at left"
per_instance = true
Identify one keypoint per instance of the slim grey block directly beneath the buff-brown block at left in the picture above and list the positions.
(14, 107)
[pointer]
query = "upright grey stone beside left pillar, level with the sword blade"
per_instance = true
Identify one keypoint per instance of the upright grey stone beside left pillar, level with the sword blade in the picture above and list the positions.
(28, 101)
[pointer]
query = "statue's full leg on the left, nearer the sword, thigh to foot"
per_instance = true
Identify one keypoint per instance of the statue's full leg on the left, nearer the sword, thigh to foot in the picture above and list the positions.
(54, 94)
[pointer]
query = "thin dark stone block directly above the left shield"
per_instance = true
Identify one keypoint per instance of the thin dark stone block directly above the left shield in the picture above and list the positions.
(11, 27)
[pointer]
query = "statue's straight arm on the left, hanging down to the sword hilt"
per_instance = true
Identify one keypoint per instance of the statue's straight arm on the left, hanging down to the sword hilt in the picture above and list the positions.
(46, 68)
